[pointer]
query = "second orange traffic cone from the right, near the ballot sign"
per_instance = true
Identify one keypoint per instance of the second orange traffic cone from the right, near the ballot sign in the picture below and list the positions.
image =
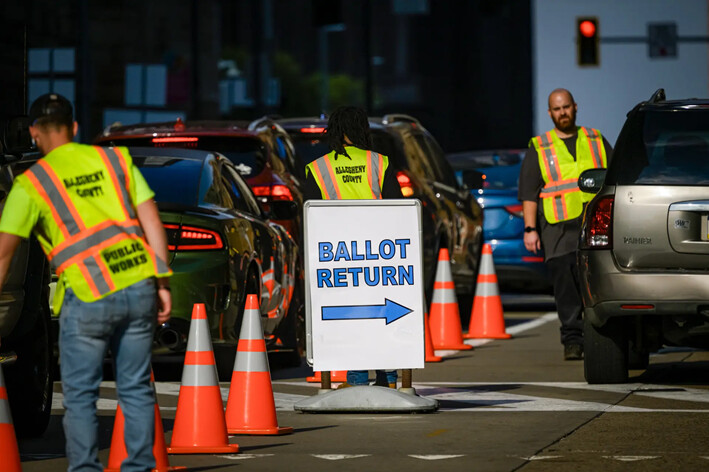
(446, 331)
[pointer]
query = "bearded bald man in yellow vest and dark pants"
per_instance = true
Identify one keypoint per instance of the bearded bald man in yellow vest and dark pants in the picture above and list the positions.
(553, 204)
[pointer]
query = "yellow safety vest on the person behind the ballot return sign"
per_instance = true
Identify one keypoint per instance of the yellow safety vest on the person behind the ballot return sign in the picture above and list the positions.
(359, 177)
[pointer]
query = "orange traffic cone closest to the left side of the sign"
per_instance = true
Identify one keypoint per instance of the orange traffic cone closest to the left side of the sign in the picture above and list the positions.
(250, 407)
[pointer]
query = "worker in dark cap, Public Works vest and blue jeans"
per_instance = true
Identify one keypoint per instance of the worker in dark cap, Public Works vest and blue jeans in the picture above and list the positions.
(95, 218)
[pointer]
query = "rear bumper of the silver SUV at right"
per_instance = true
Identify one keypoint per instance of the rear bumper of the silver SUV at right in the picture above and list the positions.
(609, 291)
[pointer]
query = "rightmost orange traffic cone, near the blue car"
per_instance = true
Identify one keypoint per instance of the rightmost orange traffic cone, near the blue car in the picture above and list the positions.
(486, 318)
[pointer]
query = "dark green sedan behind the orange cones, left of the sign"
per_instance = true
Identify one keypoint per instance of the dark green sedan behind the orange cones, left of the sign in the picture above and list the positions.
(222, 247)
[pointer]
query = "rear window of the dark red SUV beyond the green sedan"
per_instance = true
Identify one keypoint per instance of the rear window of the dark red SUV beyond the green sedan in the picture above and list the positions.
(247, 154)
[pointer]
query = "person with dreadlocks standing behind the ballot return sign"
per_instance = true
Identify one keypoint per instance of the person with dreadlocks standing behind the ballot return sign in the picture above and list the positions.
(352, 171)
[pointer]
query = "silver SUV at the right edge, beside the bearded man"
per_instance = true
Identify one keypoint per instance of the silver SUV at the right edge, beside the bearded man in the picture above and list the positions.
(644, 249)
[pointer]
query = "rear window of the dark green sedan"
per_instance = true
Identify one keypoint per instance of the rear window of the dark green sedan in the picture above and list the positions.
(172, 180)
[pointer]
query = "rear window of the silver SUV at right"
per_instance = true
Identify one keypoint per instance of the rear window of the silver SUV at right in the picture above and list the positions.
(659, 147)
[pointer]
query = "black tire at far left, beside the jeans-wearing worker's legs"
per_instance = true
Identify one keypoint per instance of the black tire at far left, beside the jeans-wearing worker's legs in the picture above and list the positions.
(29, 380)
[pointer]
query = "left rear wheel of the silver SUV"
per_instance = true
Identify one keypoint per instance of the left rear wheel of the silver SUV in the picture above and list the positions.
(606, 352)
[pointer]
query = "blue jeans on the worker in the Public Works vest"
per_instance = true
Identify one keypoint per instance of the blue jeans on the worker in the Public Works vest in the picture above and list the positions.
(124, 322)
